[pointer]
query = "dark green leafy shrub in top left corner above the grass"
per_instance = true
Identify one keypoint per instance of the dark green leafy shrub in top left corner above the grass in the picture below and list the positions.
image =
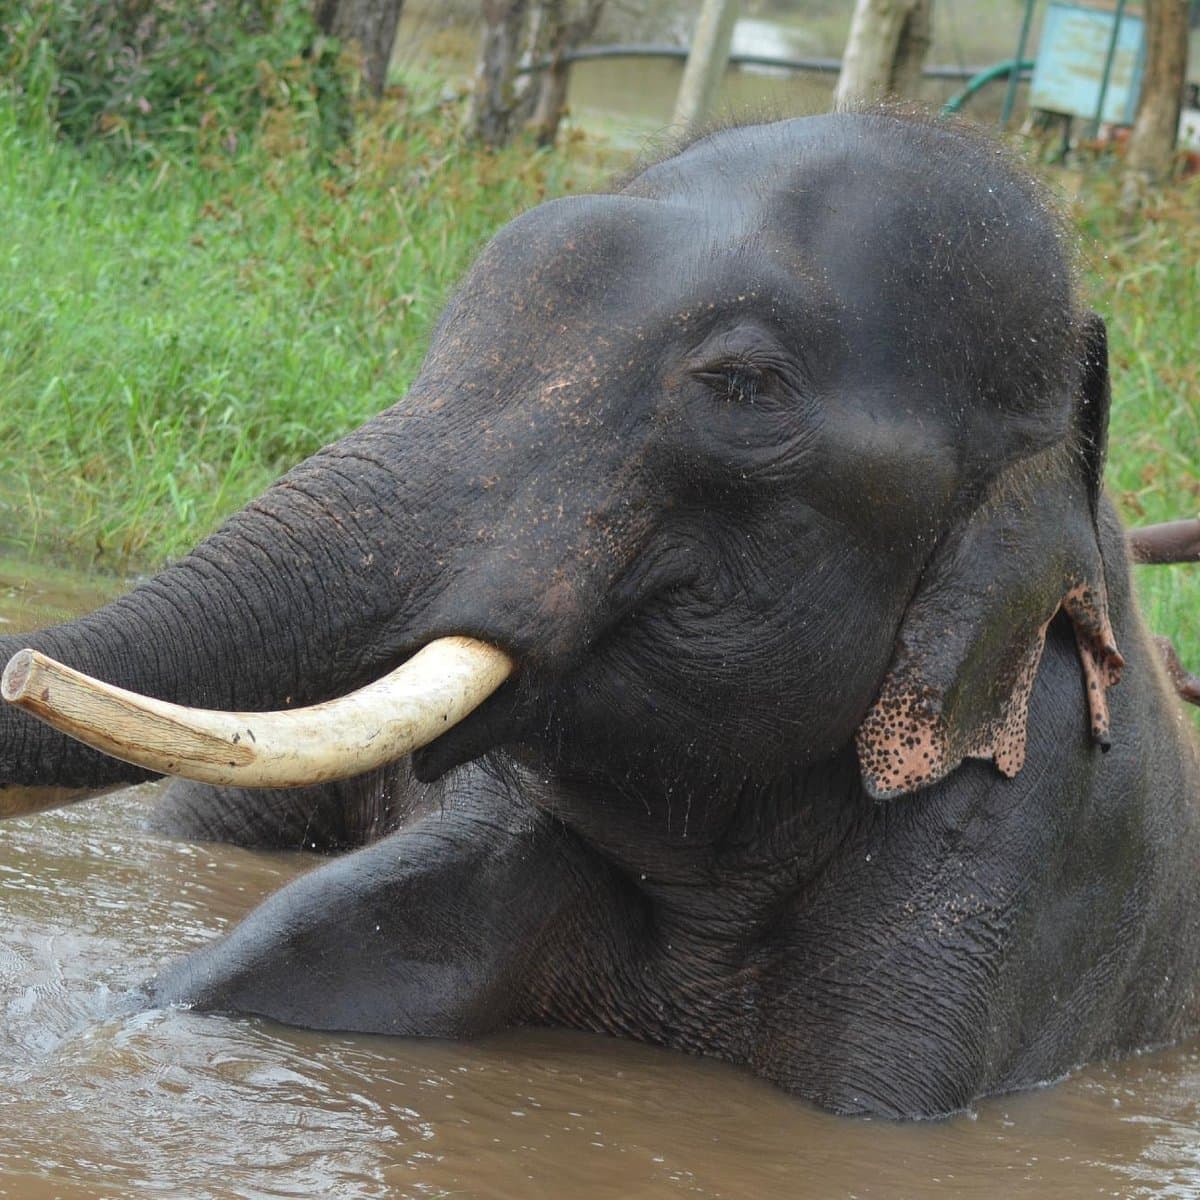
(152, 79)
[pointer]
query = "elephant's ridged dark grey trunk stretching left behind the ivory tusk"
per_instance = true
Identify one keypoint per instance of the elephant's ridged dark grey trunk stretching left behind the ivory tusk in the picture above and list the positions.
(305, 595)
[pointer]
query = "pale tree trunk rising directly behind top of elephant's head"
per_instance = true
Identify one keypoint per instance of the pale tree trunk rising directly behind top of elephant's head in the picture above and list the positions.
(885, 52)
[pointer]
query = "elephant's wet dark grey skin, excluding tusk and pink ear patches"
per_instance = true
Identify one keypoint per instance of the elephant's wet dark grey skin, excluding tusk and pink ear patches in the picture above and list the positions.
(697, 453)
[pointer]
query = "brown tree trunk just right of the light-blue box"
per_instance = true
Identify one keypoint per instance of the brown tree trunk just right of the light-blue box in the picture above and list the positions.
(1157, 123)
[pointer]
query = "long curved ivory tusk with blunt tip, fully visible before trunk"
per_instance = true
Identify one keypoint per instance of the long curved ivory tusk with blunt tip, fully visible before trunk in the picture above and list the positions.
(376, 725)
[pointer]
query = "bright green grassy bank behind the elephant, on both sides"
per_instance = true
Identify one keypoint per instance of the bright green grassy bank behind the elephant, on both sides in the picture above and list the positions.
(173, 339)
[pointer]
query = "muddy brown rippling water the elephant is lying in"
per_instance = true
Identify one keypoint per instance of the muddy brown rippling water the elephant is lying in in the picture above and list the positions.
(99, 1099)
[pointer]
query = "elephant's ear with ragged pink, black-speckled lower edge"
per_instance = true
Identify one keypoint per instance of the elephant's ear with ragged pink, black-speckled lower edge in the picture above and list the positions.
(971, 641)
